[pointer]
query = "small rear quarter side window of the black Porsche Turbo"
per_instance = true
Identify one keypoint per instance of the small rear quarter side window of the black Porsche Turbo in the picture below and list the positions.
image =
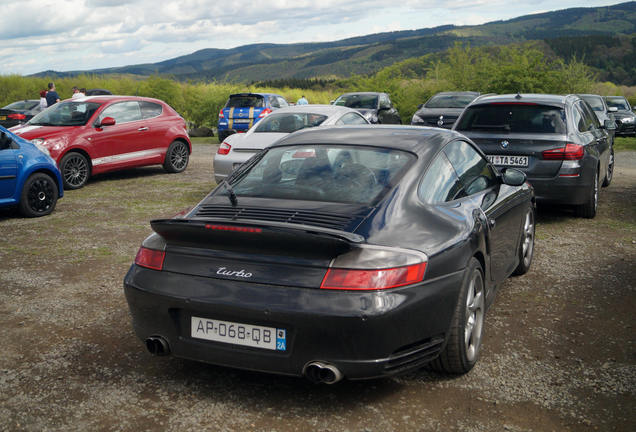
(440, 183)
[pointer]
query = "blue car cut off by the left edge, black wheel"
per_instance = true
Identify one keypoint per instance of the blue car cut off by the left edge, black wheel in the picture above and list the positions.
(29, 178)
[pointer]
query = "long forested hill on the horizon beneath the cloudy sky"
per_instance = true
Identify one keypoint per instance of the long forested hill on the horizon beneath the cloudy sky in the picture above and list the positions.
(600, 36)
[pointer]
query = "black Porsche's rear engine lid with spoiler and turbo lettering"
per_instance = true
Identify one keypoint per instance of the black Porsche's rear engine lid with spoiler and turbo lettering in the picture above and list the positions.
(259, 243)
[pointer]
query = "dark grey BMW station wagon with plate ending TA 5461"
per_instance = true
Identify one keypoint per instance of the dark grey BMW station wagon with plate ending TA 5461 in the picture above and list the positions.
(556, 140)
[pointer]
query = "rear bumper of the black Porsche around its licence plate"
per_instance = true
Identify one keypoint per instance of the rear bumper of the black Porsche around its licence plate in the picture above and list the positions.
(364, 334)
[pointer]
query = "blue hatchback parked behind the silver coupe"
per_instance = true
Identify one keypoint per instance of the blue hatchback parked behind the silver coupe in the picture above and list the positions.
(242, 110)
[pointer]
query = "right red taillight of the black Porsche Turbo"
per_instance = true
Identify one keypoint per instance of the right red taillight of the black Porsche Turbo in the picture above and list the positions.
(376, 279)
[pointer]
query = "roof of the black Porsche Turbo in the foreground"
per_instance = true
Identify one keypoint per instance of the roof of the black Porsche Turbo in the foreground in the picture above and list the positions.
(416, 139)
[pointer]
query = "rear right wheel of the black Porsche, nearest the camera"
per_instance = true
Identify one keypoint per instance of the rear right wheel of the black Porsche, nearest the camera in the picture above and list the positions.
(464, 339)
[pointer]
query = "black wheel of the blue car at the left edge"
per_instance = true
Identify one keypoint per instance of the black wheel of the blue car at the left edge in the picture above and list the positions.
(39, 195)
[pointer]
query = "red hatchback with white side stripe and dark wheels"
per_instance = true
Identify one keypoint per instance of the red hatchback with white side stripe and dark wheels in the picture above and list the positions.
(96, 134)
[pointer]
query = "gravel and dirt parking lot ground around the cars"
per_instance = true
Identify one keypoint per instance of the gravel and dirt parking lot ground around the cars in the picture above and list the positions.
(558, 352)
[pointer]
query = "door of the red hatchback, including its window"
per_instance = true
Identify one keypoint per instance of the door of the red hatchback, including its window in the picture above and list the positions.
(119, 145)
